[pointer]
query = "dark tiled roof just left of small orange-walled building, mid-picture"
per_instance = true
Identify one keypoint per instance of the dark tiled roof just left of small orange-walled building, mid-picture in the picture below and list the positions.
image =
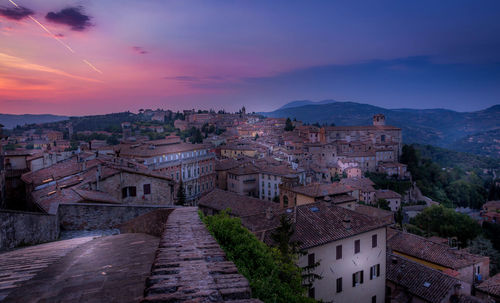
(240, 205)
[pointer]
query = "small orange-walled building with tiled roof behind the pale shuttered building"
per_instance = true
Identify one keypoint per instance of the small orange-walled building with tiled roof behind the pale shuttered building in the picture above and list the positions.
(335, 193)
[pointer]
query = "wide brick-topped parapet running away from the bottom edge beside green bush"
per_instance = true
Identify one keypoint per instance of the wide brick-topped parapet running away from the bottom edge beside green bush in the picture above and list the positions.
(191, 267)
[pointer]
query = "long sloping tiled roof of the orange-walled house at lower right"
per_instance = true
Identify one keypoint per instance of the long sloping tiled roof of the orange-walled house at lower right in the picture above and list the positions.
(427, 250)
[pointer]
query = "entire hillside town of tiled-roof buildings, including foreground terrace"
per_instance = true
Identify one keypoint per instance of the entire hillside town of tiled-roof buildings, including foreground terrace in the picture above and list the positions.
(344, 205)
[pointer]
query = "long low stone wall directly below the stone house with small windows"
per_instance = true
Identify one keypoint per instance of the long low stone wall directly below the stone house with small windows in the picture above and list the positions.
(83, 216)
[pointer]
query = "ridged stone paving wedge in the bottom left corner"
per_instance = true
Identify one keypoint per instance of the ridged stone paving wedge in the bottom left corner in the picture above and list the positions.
(18, 266)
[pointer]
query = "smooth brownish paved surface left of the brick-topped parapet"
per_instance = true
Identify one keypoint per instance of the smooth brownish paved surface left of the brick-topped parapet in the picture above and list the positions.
(106, 269)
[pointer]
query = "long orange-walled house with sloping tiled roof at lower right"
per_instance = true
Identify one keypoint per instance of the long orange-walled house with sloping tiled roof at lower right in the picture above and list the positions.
(460, 264)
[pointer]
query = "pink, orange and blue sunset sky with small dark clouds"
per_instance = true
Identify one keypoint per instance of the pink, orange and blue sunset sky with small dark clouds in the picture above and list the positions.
(100, 56)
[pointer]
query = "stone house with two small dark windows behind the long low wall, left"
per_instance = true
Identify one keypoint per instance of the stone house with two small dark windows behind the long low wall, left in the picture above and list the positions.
(101, 180)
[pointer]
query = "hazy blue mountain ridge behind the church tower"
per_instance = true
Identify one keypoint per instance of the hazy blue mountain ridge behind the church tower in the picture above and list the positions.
(477, 132)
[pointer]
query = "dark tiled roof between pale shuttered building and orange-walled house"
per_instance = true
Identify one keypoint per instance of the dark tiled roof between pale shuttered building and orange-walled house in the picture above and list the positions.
(424, 282)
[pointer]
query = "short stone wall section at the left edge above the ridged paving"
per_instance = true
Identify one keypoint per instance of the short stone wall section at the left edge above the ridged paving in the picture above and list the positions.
(24, 228)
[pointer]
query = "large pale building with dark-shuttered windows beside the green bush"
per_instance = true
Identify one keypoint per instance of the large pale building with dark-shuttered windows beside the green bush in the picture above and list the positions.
(349, 246)
